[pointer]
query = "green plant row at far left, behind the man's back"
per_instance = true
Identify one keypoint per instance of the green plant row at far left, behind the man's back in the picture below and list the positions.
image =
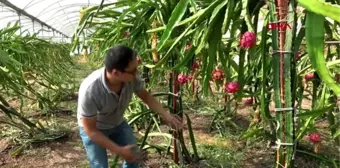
(33, 71)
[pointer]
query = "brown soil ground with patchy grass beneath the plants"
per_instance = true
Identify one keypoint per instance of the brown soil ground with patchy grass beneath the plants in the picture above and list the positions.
(68, 152)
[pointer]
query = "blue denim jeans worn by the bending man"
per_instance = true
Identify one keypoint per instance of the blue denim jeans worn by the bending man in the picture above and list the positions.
(122, 135)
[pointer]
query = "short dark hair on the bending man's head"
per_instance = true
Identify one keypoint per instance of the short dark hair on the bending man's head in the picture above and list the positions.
(119, 57)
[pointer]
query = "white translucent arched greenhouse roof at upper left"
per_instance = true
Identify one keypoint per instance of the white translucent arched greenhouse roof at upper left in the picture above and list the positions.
(60, 15)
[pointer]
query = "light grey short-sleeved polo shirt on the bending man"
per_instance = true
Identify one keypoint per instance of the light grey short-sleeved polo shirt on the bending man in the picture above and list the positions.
(96, 99)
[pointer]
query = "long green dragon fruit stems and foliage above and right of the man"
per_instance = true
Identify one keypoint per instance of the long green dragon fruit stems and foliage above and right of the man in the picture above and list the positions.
(213, 31)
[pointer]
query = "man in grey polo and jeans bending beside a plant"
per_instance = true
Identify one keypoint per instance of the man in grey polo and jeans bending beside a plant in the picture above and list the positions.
(104, 96)
